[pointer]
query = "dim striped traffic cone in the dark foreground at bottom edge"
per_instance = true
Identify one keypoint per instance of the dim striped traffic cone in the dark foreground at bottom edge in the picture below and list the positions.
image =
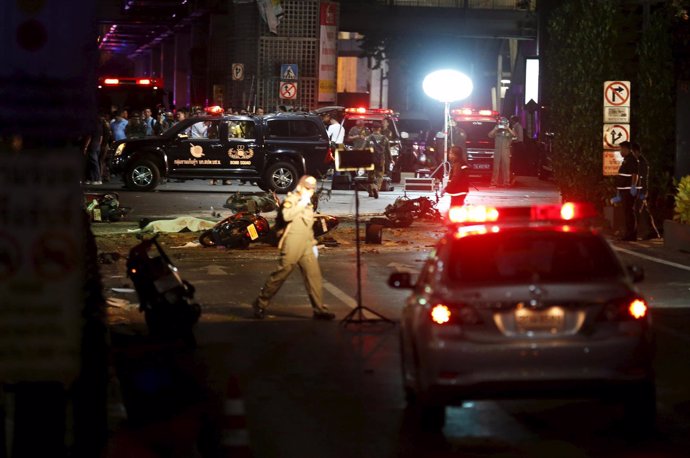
(234, 434)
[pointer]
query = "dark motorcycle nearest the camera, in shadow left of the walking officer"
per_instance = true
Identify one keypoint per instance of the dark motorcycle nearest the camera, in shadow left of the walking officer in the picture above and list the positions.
(164, 297)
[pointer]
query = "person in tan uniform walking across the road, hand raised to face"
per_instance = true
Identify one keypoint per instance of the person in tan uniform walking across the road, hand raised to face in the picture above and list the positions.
(297, 248)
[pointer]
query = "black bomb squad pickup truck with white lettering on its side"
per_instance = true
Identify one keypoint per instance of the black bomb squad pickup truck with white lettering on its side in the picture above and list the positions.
(272, 150)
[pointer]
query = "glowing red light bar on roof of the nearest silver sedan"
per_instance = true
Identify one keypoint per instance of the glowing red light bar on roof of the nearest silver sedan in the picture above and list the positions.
(473, 214)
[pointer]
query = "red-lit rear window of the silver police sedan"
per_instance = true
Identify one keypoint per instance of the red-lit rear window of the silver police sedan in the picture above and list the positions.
(531, 256)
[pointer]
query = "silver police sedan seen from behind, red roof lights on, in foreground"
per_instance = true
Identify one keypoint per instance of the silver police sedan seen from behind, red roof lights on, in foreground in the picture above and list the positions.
(525, 303)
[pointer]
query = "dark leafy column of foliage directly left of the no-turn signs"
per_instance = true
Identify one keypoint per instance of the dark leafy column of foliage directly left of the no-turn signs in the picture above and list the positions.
(577, 62)
